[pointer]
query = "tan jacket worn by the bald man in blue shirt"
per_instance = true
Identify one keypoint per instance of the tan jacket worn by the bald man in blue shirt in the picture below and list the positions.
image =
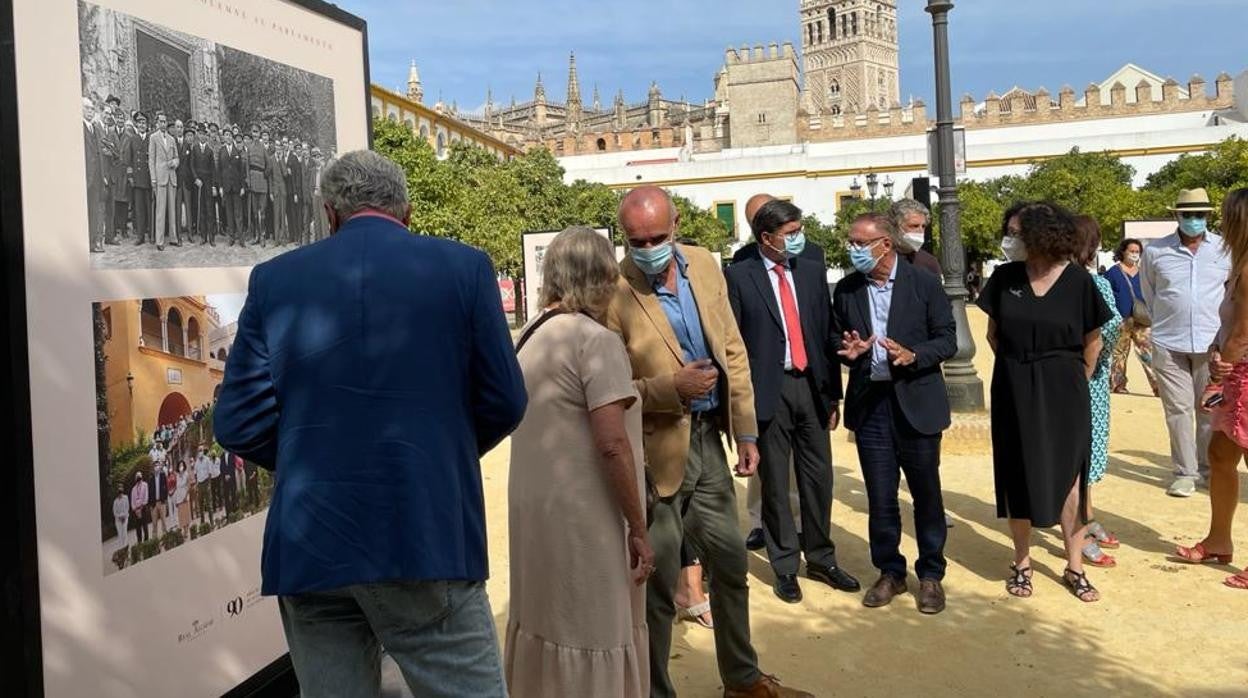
(656, 355)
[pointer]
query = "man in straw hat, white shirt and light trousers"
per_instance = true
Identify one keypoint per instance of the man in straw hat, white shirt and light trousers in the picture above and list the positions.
(1184, 279)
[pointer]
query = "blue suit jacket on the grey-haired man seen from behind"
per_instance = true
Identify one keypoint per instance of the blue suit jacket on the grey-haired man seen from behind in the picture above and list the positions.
(371, 371)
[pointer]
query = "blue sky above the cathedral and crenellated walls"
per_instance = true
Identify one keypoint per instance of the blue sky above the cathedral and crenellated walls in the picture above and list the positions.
(465, 47)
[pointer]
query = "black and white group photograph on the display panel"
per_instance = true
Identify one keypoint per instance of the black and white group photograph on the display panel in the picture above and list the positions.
(198, 155)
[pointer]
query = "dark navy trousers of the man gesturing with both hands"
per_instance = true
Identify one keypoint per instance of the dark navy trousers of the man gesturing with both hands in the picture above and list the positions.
(889, 446)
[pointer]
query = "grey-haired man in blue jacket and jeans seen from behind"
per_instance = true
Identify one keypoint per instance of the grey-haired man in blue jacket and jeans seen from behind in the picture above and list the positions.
(371, 373)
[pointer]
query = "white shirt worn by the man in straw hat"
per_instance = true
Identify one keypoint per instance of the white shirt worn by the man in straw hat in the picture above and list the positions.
(1184, 292)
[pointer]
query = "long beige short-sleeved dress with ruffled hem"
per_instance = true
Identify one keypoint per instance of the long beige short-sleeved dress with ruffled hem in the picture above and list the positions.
(577, 624)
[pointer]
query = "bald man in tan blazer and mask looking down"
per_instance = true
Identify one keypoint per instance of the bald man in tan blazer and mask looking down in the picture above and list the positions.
(690, 366)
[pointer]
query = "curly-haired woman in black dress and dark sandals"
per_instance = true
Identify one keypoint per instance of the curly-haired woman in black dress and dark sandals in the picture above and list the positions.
(1045, 328)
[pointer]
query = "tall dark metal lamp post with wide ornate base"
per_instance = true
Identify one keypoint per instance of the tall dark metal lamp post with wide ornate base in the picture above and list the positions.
(965, 388)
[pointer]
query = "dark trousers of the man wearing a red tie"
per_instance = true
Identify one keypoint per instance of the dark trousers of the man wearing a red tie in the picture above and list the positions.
(797, 430)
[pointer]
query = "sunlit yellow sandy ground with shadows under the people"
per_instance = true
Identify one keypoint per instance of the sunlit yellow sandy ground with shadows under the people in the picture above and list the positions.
(1163, 629)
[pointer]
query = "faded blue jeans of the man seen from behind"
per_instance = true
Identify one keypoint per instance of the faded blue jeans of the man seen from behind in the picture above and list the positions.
(440, 634)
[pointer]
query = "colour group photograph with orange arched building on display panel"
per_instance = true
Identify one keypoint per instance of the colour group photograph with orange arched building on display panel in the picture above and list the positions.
(164, 480)
